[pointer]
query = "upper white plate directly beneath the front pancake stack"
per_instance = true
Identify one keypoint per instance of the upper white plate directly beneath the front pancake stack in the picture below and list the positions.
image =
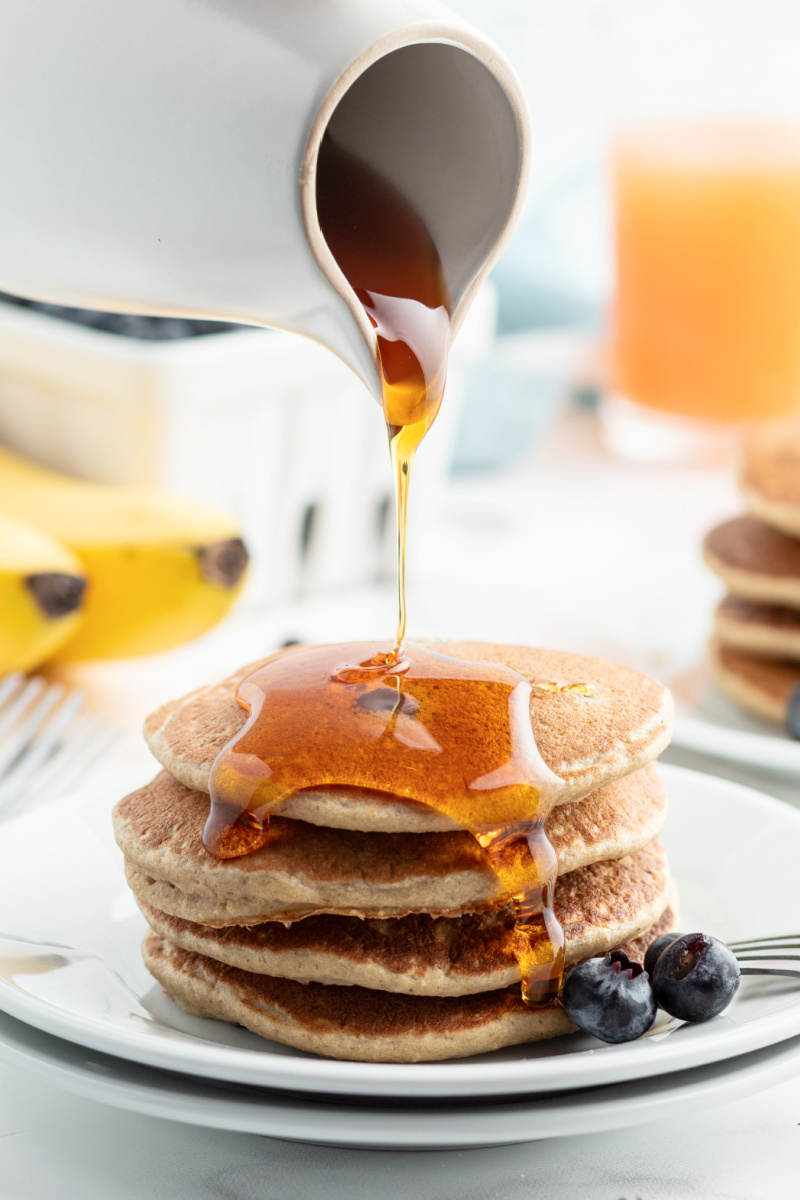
(70, 959)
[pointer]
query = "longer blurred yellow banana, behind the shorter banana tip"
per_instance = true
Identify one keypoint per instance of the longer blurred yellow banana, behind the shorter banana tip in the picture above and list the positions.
(163, 569)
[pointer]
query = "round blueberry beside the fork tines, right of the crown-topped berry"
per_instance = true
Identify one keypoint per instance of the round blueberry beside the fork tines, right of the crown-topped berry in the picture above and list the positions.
(696, 979)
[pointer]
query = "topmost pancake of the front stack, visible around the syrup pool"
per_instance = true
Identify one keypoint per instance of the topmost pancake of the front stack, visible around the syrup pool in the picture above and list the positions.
(586, 740)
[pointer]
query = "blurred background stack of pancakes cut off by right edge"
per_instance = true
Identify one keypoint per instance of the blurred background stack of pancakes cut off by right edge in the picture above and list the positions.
(756, 649)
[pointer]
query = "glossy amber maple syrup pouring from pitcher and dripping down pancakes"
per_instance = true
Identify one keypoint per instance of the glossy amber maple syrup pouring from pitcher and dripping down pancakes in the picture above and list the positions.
(414, 723)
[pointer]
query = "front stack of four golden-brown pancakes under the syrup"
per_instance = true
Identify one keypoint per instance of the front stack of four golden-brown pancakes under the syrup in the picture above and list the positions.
(370, 927)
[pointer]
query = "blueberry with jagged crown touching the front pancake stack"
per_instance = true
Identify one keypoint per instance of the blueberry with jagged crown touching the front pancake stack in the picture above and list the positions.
(611, 998)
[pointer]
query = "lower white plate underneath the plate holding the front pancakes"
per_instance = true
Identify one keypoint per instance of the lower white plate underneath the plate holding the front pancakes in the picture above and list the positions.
(377, 1125)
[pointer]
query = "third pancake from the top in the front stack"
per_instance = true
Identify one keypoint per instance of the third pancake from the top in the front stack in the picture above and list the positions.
(599, 908)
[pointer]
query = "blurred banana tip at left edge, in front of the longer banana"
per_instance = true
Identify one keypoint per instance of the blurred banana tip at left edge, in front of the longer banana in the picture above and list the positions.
(43, 587)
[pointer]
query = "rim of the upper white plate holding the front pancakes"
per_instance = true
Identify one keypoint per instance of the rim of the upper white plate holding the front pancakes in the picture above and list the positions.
(266, 1069)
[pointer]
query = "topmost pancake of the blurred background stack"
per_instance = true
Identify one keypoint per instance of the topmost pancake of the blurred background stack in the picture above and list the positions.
(769, 476)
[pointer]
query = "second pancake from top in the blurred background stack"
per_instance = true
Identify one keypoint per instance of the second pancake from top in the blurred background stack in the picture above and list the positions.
(755, 561)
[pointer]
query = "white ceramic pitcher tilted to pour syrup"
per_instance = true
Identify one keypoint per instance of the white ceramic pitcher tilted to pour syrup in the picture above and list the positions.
(160, 157)
